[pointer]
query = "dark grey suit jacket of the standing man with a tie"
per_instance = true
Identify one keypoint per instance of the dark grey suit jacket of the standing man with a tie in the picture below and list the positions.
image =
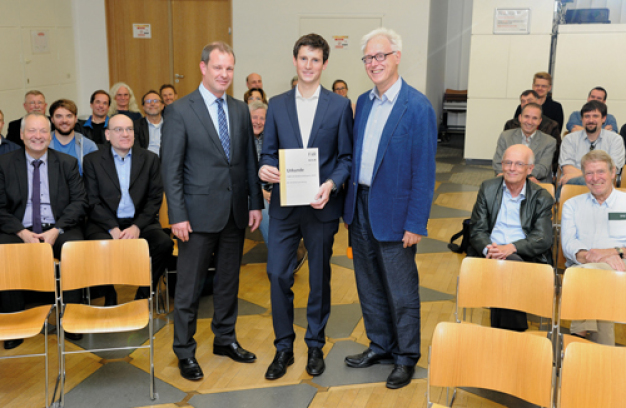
(201, 186)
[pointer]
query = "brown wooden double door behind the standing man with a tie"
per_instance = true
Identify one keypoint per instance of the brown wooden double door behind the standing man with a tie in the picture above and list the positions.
(179, 29)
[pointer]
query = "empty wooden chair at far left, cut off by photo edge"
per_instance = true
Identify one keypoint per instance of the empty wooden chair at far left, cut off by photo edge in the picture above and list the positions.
(28, 267)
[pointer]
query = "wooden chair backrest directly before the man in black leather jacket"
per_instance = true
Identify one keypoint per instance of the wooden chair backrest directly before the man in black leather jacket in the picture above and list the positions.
(524, 286)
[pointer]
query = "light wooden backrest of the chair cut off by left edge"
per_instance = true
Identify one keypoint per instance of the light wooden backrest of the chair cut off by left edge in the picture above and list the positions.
(27, 267)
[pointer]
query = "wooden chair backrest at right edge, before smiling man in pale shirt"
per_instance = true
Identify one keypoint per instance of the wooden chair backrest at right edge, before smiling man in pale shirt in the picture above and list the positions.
(593, 294)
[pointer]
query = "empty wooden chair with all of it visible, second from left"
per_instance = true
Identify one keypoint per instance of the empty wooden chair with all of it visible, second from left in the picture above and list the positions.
(106, 262)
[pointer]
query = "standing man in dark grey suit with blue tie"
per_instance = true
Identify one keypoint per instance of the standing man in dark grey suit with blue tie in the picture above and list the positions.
(209, 168)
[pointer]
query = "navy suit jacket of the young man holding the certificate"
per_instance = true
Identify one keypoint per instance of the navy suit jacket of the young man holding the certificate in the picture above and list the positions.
(331, 134)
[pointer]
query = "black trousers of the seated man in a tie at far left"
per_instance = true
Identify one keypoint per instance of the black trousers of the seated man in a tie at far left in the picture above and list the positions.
(15, 300)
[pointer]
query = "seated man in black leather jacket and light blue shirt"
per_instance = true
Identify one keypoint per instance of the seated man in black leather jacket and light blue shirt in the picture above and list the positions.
(512, 220)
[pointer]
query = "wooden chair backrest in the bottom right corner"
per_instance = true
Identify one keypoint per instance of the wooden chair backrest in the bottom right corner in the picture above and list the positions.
(593, 375)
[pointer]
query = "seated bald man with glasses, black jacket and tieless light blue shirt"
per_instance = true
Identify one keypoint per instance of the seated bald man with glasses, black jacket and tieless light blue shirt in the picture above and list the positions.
(125, 192)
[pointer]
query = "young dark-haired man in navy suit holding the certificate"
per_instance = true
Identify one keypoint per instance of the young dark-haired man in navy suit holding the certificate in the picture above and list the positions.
(307, 116)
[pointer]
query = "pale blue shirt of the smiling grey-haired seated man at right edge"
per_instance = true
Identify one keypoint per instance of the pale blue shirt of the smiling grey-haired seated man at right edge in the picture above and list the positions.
(585, 224)
